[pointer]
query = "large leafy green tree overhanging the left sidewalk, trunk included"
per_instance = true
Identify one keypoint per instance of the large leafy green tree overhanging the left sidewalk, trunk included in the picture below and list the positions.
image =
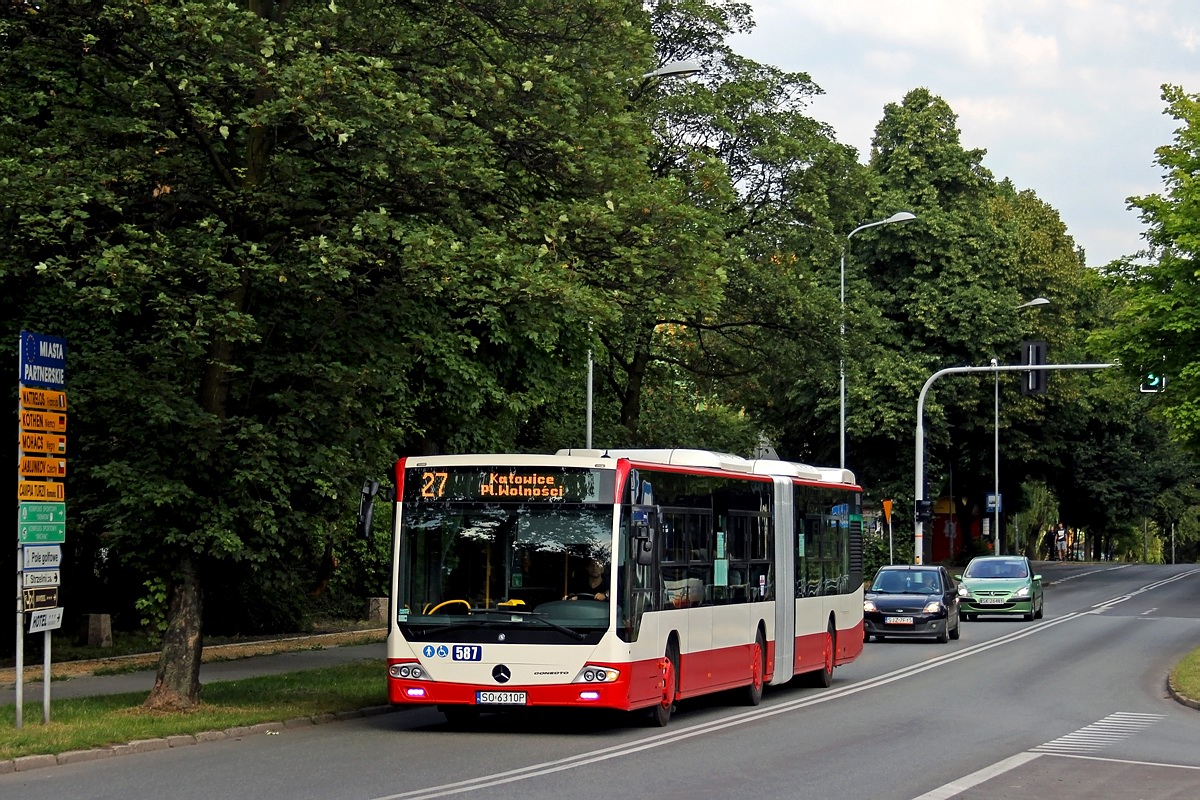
(293, 238)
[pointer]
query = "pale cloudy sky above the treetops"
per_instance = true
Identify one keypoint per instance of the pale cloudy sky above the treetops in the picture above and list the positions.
(1065, 95)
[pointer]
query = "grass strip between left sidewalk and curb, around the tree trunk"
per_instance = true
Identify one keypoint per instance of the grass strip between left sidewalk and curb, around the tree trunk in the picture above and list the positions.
(92, 723)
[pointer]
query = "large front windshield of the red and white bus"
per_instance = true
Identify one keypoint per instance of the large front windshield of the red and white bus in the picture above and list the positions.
(479, 567)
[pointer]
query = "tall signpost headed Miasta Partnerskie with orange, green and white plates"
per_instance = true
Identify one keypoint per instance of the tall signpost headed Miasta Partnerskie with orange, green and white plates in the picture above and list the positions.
(41, 497)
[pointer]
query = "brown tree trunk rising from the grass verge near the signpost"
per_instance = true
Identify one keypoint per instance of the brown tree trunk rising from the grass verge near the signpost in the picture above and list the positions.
(177, 687)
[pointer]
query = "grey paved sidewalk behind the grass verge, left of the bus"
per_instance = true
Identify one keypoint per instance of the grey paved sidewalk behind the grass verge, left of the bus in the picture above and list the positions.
(213, 672)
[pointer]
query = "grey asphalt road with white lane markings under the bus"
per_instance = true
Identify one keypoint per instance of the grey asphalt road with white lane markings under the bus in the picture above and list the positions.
(1070, 707)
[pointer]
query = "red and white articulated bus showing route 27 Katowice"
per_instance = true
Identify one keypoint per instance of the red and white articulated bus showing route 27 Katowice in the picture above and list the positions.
(619, 580)
